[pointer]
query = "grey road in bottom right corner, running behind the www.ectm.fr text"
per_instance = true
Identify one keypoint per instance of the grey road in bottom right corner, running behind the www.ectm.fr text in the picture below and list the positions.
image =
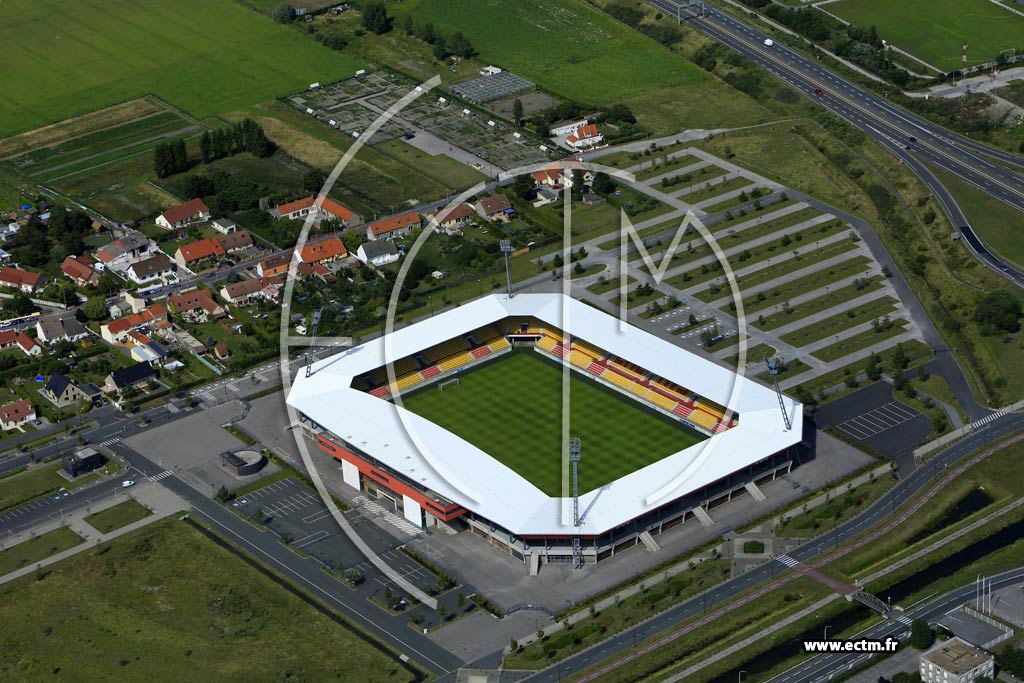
(829, 667)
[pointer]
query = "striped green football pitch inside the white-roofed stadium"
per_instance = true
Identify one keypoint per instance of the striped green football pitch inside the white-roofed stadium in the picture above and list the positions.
(511, 409)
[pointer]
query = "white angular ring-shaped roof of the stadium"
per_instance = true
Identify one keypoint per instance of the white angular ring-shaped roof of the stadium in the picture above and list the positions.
(443, 462)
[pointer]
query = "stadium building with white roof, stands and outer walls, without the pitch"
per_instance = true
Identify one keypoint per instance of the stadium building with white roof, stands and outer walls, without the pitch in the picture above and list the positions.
(350, 408)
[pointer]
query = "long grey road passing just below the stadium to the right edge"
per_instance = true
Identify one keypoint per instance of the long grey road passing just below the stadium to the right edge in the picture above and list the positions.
(878, 514)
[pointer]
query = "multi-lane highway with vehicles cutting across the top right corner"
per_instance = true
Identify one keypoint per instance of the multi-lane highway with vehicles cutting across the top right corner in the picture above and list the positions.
(886, 123)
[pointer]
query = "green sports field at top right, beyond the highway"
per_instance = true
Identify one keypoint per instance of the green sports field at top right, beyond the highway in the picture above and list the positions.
(934, 30)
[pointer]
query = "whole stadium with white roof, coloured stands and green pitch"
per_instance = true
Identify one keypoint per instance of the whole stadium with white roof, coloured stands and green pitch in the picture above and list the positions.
(472, 429)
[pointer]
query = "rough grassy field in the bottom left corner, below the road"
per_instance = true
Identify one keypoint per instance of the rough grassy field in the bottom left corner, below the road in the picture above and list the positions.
(142, 602)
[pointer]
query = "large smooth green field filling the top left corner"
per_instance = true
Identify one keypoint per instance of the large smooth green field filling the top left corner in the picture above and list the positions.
(66, 58)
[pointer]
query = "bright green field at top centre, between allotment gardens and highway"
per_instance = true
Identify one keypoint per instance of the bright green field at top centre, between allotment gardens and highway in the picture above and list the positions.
(566, 47)
